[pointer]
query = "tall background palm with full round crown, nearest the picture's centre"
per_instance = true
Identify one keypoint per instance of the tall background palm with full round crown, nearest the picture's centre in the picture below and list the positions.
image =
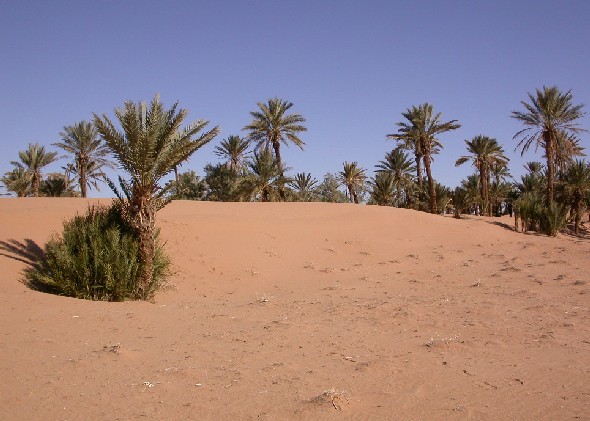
(271, 125)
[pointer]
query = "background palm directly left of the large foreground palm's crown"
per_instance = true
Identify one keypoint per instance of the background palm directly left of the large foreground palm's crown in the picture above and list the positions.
(90, 154)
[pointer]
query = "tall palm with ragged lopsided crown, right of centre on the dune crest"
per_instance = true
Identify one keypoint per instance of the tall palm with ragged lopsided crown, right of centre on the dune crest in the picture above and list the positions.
(420, 130)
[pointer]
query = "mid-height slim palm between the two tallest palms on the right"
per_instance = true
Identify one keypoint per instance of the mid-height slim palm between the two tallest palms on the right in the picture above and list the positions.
(486, 153)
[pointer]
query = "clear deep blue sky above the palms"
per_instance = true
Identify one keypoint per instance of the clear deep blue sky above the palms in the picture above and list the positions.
(350, 68)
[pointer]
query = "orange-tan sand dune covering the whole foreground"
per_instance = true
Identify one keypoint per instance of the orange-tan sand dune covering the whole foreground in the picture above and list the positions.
(307, 311)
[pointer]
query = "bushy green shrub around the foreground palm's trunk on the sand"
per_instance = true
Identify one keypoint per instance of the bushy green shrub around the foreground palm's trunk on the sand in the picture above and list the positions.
(96, 258)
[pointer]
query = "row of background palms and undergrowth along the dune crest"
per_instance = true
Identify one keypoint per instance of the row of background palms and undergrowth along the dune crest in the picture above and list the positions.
(251, 167)
